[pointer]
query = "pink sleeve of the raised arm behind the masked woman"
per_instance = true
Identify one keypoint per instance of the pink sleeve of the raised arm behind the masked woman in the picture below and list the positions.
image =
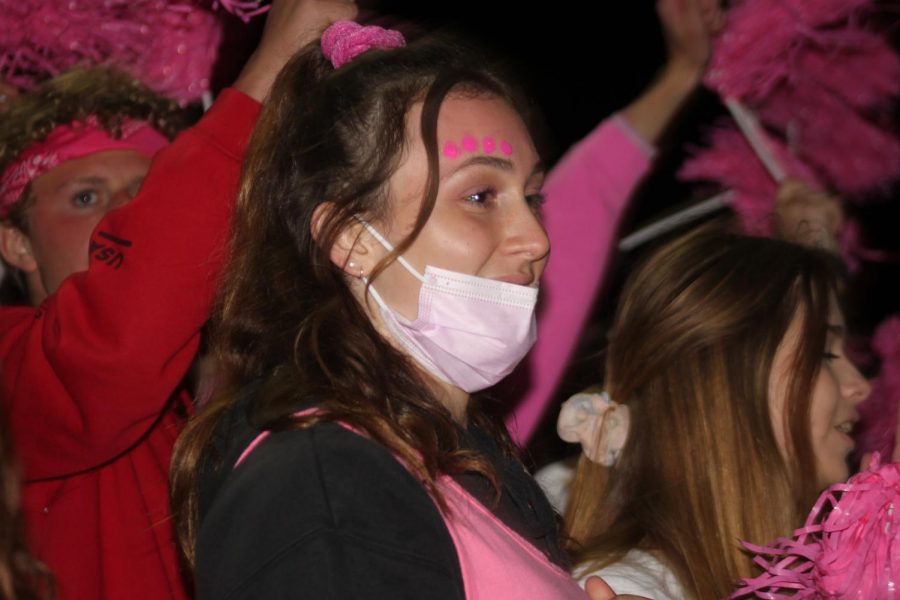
(587, 193)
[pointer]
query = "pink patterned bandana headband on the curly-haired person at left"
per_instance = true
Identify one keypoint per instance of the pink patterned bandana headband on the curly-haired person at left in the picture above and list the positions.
(68, 142)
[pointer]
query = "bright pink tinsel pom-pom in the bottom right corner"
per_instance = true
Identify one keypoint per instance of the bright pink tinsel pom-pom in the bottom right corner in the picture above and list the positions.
(851, 551)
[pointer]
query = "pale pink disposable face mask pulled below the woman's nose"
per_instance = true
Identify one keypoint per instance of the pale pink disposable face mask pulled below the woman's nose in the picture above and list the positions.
(471, 331)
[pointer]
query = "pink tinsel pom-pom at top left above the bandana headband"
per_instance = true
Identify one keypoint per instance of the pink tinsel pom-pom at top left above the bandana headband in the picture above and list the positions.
(171, 45)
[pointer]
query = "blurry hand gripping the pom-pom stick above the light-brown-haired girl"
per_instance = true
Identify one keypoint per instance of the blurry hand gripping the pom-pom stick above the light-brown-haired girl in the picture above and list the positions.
(806, 216)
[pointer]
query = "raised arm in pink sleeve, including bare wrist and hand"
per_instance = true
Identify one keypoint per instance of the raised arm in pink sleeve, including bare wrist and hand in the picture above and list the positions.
(587, 193)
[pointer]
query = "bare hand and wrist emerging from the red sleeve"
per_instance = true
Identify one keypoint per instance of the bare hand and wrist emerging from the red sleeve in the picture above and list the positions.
(290, 25)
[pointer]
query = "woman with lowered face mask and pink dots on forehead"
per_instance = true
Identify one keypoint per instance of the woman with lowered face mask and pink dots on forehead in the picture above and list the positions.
(385, 264)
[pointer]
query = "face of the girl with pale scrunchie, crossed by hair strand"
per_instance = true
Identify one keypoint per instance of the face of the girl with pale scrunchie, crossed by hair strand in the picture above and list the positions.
(837, 390)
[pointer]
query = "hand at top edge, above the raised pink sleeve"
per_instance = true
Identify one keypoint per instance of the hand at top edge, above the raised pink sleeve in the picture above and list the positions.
(688, 26)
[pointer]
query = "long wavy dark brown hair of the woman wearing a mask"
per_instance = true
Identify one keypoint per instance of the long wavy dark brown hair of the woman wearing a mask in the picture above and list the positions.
(286, 314)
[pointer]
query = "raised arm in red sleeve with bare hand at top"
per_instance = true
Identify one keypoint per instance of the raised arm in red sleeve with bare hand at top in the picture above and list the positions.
(89, 371)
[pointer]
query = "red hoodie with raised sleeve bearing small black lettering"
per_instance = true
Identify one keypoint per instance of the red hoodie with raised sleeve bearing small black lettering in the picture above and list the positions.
(92, 376)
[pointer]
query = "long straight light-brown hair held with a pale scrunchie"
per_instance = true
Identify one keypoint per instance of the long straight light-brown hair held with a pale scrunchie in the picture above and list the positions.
(691, 352)
